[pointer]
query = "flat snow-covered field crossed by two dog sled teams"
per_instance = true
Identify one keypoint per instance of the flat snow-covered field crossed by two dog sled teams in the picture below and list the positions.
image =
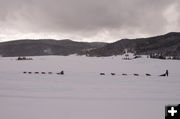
(82, 93)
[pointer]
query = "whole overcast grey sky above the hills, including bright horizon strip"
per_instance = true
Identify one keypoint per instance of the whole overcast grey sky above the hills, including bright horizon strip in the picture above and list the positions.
(87, 20)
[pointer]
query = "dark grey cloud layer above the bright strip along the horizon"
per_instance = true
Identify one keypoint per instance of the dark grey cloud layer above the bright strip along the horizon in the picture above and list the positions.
(86, 17)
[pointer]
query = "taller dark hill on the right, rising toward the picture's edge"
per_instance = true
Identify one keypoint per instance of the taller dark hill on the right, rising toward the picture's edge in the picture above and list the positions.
(168, 44)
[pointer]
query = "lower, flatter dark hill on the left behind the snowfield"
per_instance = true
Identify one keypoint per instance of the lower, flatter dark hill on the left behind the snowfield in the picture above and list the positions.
(41, 47)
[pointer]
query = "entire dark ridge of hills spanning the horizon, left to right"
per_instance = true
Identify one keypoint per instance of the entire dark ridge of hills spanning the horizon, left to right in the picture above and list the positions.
(168, 45)
